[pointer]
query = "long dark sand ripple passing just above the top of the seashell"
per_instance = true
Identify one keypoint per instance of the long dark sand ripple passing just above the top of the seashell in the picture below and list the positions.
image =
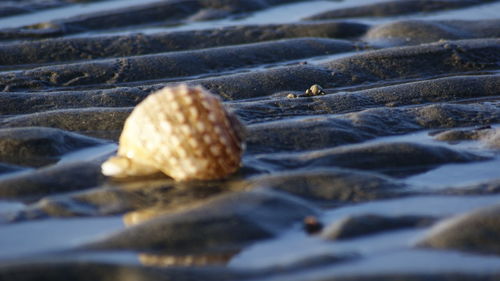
(170, 65)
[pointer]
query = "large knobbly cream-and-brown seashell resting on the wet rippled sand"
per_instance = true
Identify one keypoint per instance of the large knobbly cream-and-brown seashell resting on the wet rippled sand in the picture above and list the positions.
(184, 132)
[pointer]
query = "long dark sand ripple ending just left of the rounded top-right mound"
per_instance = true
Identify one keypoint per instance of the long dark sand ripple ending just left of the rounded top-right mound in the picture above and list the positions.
(46, 51)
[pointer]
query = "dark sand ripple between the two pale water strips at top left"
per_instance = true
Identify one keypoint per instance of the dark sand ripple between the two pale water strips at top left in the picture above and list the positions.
(172, 12)
